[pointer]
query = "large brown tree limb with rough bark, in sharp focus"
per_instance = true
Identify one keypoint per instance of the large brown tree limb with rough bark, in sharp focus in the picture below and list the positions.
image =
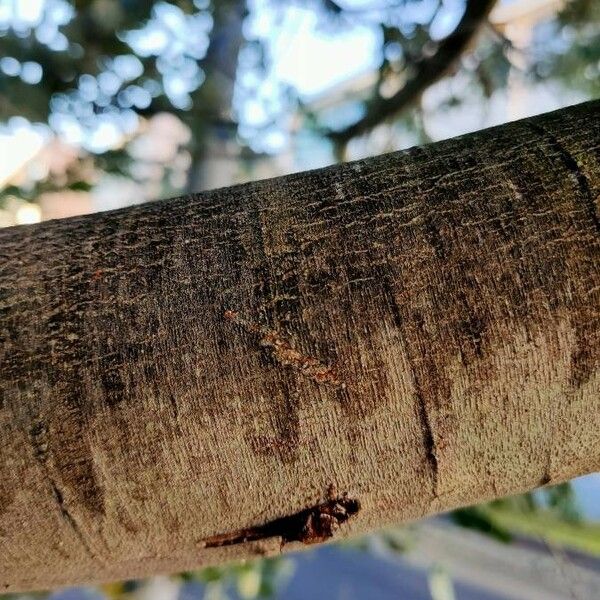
(254, 368)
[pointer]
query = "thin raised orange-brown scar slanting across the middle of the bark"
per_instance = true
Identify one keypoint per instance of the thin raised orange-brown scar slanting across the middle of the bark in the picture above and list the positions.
(283, 352)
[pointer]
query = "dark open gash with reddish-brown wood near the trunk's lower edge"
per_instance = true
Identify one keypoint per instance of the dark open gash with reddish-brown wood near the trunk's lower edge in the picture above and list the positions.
(309, 526)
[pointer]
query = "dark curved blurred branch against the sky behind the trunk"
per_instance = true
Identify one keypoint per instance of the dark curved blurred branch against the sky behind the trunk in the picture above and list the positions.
(429, 70)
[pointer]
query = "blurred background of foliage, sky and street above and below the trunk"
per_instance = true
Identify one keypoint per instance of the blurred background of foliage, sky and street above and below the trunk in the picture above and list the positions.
(107, 103)
